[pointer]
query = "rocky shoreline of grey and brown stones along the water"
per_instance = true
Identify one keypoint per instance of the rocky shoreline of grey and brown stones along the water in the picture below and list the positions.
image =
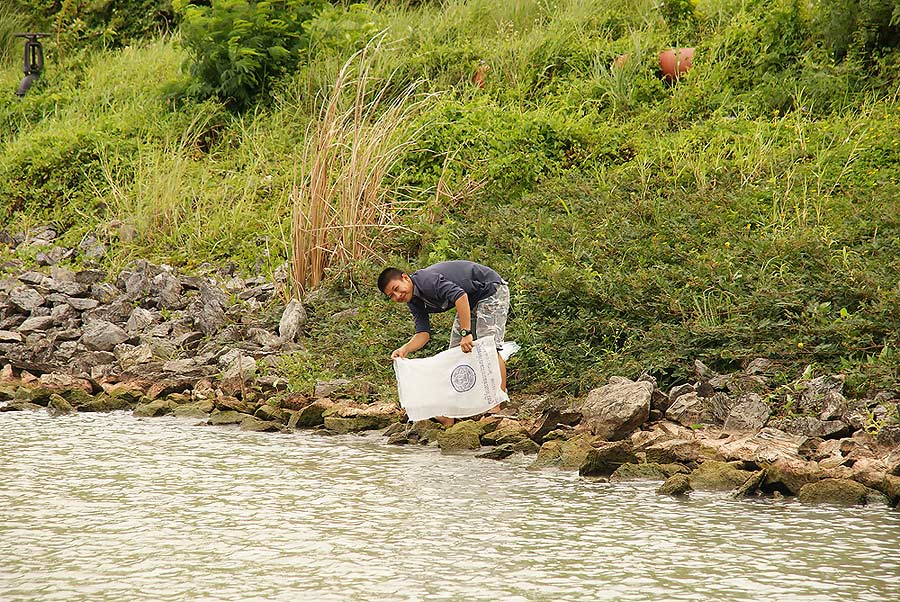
(157, 343)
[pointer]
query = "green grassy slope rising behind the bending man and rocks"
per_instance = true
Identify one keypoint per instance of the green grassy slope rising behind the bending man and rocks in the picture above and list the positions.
(749, 210)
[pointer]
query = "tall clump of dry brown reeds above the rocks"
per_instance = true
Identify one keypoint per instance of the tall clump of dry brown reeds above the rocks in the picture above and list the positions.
(342, 198)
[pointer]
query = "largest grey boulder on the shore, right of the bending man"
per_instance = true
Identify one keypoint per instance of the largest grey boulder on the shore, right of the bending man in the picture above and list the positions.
(615, 410)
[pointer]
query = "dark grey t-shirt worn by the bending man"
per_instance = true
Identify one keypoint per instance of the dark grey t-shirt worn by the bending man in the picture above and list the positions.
(437, 287)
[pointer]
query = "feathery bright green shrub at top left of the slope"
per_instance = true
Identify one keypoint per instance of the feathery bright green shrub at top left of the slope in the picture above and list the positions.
(238, 47)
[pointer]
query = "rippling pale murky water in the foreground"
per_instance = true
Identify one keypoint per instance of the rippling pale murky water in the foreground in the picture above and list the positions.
(109, 507)
